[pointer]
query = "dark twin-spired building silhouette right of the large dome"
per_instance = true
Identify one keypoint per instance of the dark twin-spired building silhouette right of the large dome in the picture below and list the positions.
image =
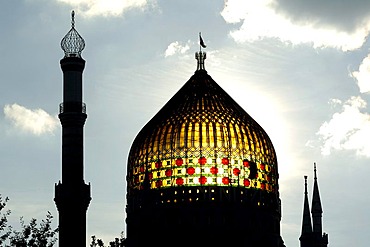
(312, 235)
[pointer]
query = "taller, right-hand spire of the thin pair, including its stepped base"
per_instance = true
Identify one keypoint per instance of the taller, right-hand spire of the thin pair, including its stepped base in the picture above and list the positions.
(320, 239)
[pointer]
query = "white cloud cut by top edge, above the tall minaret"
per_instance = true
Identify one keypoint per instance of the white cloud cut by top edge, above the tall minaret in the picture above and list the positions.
(105, 7)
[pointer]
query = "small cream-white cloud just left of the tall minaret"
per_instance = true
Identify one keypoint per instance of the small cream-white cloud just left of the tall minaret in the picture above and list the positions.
(35, 121)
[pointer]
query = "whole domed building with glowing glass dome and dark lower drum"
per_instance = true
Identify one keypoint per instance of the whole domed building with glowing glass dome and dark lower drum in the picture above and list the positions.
(202, 172)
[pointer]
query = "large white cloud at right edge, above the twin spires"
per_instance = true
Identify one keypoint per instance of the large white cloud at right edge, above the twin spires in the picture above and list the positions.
(347, 129)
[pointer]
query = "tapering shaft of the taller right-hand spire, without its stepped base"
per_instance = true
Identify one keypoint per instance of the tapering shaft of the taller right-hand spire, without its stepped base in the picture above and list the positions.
(316, 207)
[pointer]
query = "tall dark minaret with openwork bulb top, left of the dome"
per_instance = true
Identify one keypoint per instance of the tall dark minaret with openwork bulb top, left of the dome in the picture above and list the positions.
(72, 195)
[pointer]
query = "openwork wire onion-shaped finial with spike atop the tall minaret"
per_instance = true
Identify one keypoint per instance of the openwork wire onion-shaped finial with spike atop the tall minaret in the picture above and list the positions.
(72, 44)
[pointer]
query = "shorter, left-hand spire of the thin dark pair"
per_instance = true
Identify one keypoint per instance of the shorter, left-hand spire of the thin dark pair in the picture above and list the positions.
(306, 235)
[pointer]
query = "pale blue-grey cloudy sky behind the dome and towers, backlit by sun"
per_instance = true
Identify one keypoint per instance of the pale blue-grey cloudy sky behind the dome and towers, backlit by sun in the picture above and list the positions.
(300, 68)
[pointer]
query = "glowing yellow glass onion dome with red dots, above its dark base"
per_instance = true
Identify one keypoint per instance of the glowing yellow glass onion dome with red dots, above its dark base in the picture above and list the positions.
(202, 137)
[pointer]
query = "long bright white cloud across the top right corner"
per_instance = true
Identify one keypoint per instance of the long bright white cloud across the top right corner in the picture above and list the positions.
(261, 19)
